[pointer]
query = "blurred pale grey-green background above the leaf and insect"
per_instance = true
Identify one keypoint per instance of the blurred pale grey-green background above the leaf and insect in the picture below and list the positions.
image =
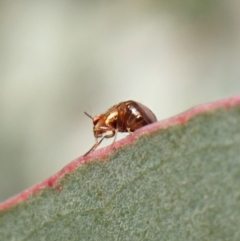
(61, 58)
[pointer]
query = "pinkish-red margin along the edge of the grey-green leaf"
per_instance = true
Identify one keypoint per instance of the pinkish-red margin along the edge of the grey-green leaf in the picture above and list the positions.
(103, 152)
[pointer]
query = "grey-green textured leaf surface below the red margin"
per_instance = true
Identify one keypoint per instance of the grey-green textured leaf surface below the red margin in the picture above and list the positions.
(178, 182)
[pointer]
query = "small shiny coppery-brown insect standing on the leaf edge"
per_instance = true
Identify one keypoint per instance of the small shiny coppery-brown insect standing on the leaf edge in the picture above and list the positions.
(126, 116)
